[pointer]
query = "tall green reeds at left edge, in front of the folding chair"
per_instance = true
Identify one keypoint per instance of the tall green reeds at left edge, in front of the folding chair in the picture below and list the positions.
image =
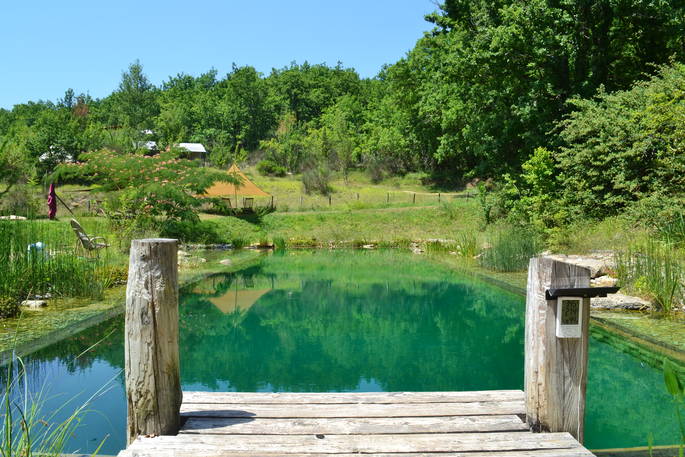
(54, 268)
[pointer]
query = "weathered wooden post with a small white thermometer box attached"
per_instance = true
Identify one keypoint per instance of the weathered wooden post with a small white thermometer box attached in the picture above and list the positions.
(555, 368)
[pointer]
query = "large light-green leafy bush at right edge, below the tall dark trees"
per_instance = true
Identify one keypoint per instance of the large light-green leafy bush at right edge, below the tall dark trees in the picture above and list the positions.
(624, 146)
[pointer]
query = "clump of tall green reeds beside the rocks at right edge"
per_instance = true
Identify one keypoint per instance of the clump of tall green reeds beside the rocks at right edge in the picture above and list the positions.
(652, 269)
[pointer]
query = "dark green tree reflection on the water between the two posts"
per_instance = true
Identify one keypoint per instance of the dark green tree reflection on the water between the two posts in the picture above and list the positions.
(327, 335)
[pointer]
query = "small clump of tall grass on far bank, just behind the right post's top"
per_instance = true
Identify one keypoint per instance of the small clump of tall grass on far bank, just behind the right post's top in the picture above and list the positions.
(510, 250)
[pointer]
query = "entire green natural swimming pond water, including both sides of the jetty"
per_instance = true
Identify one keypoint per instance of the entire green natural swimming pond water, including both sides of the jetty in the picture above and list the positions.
(348, 321)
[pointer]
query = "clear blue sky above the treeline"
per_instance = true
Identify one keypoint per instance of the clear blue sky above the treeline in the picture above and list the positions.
(47, 46)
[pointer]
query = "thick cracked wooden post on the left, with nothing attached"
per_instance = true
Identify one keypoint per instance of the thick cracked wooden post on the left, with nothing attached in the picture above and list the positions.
(153, 382)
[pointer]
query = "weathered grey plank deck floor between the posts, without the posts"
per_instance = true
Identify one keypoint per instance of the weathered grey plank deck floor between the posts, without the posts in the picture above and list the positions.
(445, 424)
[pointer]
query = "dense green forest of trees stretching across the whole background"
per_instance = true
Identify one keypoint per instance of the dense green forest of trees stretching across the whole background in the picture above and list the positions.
(574, 108)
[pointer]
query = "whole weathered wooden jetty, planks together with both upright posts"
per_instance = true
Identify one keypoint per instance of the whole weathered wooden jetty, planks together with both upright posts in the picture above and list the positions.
(163, 421)
